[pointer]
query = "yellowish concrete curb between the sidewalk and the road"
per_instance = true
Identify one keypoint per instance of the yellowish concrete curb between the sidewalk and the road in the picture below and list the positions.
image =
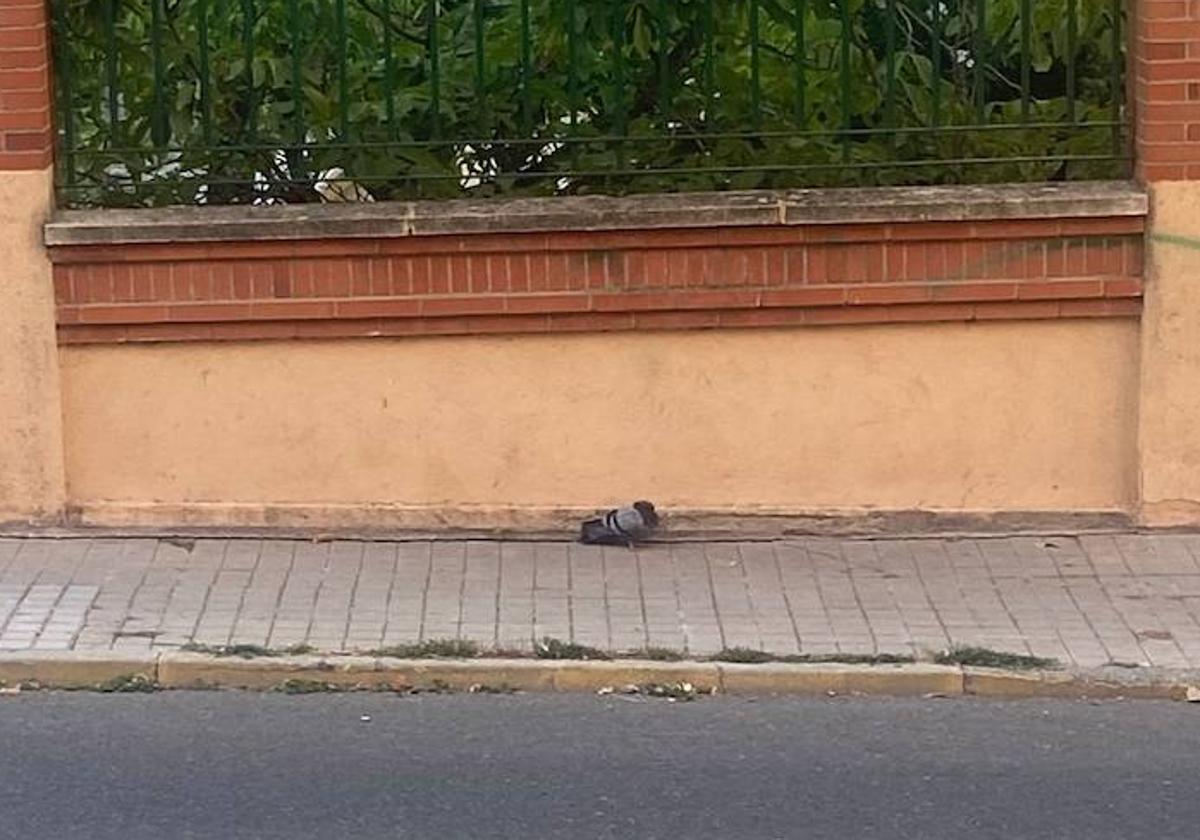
(176, 670)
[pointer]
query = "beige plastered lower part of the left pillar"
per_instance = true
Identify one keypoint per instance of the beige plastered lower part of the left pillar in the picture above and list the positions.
(32, 484)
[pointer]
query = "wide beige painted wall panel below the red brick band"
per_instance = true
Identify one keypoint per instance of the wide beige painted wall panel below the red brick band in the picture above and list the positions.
(959, 417)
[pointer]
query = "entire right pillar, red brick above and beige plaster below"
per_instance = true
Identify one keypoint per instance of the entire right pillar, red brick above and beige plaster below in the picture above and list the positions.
(1166, 74)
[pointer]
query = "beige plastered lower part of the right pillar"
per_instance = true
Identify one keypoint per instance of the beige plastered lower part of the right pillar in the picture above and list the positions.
(1171, 374)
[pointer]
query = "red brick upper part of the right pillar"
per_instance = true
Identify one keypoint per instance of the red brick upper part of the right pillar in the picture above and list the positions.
(1167, 89)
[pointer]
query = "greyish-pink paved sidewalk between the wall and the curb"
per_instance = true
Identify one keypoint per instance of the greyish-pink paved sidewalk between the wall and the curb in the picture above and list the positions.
(1085, 602)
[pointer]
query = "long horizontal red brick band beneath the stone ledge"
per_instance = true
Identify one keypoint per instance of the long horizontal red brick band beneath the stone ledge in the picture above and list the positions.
(539, 283)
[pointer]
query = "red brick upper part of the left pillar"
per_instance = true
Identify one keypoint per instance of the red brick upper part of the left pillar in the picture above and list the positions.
(26, 136)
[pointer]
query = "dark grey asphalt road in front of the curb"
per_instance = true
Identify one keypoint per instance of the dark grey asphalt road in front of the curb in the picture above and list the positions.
(226, 765)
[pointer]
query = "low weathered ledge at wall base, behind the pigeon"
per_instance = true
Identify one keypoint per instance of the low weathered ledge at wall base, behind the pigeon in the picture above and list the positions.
(94, 520)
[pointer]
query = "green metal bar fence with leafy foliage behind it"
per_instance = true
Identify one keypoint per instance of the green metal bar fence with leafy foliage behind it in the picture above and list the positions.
(241, 101)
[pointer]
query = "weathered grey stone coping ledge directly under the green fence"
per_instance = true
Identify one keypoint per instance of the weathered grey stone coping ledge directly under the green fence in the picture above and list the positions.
(584, 214)
